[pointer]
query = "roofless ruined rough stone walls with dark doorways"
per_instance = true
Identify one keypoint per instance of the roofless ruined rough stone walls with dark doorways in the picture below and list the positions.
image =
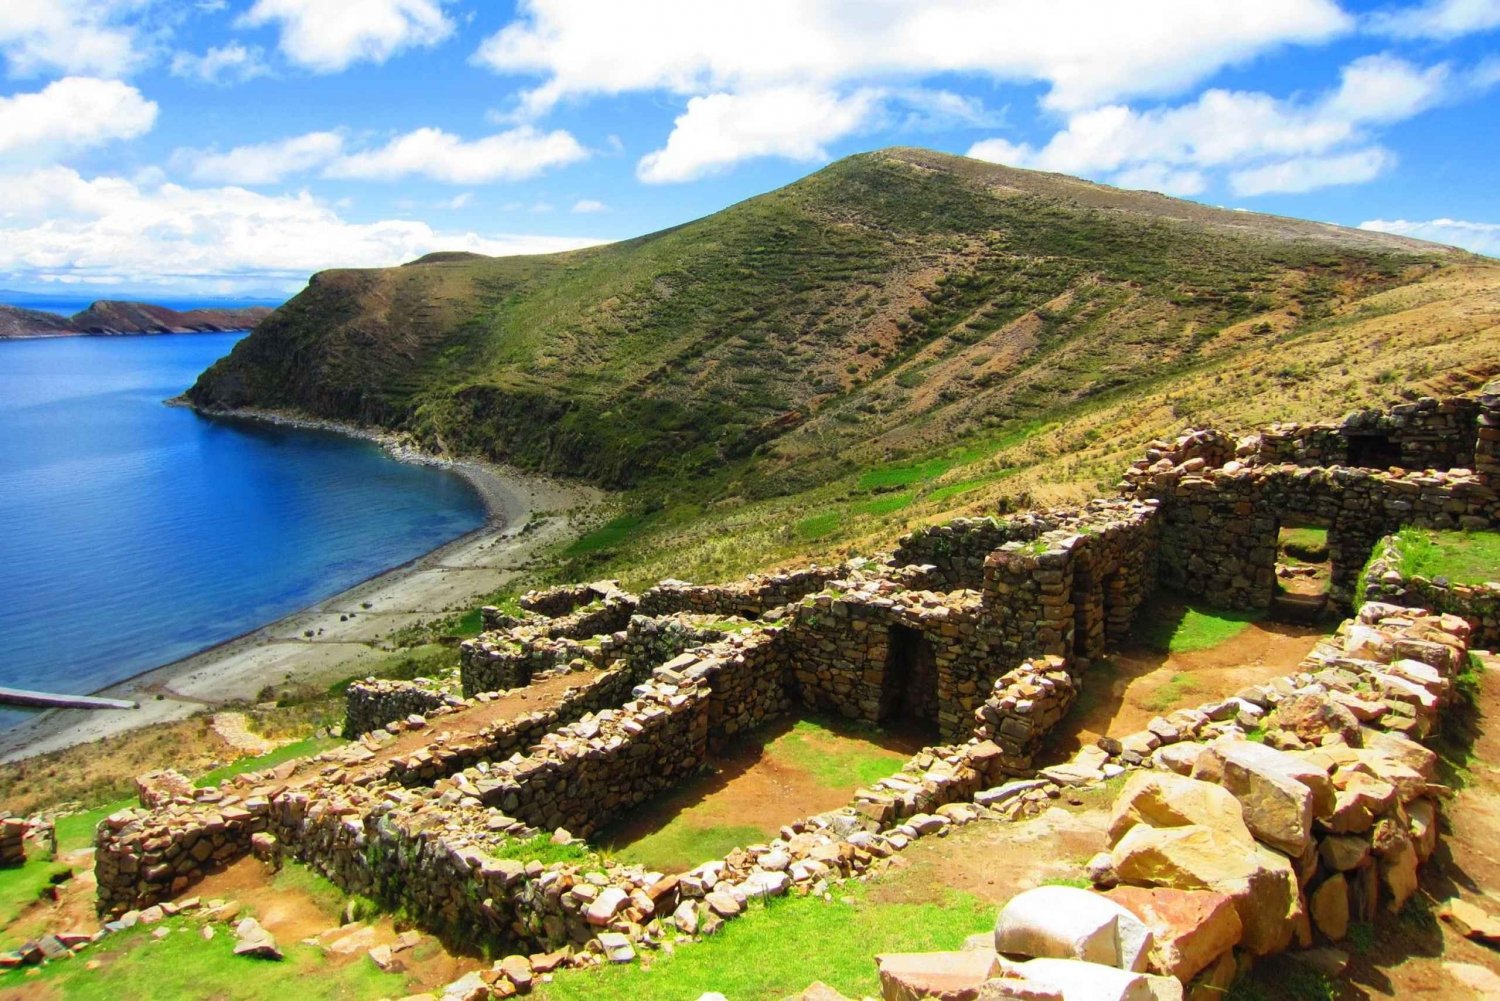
(980, 631)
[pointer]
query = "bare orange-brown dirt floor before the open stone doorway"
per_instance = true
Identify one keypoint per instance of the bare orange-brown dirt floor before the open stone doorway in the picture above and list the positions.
(1138, 685)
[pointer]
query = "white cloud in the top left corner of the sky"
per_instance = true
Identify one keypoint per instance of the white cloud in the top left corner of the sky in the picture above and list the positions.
(68, 37)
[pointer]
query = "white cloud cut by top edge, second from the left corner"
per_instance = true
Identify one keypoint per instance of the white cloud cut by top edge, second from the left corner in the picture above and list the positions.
(331, 35)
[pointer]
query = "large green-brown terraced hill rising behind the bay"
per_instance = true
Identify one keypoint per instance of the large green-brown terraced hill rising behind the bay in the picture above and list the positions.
(890, 305)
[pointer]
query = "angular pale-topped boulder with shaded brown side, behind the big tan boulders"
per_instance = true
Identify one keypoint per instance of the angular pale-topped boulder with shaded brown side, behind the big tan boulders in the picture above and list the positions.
(1277, 805)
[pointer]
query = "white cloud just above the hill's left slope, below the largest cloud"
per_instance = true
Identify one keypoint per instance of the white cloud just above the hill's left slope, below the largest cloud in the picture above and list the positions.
(722, 130)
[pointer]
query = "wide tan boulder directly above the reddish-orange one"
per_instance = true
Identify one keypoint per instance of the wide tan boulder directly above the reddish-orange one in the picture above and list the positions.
(1259, 882)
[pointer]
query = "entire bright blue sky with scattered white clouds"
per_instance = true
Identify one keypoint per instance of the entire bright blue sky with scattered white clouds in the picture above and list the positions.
(236, 146)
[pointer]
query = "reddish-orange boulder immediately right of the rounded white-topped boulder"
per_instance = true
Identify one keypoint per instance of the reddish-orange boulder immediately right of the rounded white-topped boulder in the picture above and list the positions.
(1190, 928)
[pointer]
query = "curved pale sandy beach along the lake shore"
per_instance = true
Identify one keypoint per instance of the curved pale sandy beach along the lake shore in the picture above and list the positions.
(341, 636)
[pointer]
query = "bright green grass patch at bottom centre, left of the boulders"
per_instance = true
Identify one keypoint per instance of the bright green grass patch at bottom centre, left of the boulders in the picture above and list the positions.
(776, 951)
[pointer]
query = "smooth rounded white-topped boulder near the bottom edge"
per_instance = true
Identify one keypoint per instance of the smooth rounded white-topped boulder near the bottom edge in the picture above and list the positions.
(1072, 924)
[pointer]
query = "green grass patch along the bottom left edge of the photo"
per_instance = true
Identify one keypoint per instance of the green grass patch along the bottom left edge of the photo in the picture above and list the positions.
(182, 967)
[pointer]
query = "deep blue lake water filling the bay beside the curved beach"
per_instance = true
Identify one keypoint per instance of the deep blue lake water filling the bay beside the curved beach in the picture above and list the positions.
(134, 534)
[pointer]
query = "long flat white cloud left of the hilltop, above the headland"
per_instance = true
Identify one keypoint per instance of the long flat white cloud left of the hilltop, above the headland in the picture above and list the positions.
(512, 155)
